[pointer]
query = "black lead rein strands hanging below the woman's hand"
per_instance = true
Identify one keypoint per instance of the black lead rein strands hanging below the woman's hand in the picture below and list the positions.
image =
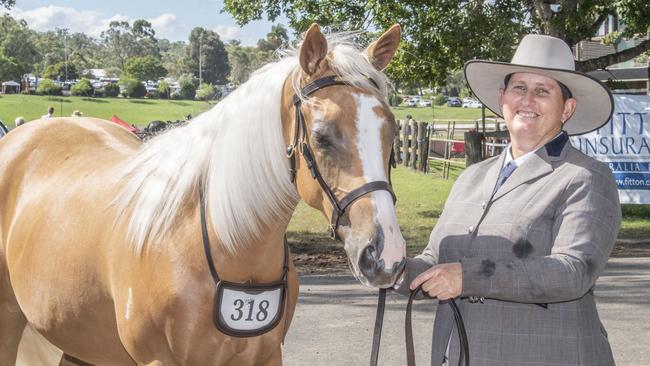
(463, 359)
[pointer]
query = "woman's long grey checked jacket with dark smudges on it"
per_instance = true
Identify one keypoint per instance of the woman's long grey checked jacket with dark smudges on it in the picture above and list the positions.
(531, 254)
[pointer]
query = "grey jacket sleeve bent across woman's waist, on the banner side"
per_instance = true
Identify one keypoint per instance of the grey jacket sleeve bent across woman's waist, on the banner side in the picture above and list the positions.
(584, 230)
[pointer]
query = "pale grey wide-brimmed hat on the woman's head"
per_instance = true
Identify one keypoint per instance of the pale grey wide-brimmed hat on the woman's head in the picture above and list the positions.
(550, 57)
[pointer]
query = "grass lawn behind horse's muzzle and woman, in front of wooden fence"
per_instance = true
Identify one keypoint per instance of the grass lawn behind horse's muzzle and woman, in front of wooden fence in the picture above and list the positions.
(420, 199)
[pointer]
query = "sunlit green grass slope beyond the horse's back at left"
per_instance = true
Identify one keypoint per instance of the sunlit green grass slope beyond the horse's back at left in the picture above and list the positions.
(135, 111)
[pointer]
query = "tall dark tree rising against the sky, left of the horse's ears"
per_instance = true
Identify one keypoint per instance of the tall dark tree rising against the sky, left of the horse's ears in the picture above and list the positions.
(206, 45)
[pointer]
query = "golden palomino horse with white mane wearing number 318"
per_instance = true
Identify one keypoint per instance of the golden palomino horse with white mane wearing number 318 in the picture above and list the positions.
(101, 243)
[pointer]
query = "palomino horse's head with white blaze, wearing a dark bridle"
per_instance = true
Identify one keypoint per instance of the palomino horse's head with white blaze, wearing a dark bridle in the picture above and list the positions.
(340, 129)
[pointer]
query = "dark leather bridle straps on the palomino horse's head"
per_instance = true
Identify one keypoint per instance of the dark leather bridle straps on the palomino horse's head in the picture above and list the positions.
(301, 143)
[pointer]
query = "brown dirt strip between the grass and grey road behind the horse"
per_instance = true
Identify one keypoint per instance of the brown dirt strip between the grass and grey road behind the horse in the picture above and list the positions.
(323, 256)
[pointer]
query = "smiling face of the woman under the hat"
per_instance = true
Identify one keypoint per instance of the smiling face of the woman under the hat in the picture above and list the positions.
(534, 110)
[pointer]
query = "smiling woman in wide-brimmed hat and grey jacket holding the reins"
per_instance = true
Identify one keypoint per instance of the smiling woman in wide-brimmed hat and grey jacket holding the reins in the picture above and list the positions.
(524, 236)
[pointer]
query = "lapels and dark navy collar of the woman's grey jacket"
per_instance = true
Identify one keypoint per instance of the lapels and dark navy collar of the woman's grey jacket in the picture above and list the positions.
(539, 164)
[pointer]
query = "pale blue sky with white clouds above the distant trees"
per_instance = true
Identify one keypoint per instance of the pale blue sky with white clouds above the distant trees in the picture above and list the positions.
(171, 19)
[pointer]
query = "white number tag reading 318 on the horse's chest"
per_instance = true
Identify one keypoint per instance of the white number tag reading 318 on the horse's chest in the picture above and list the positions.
(250, 311)
